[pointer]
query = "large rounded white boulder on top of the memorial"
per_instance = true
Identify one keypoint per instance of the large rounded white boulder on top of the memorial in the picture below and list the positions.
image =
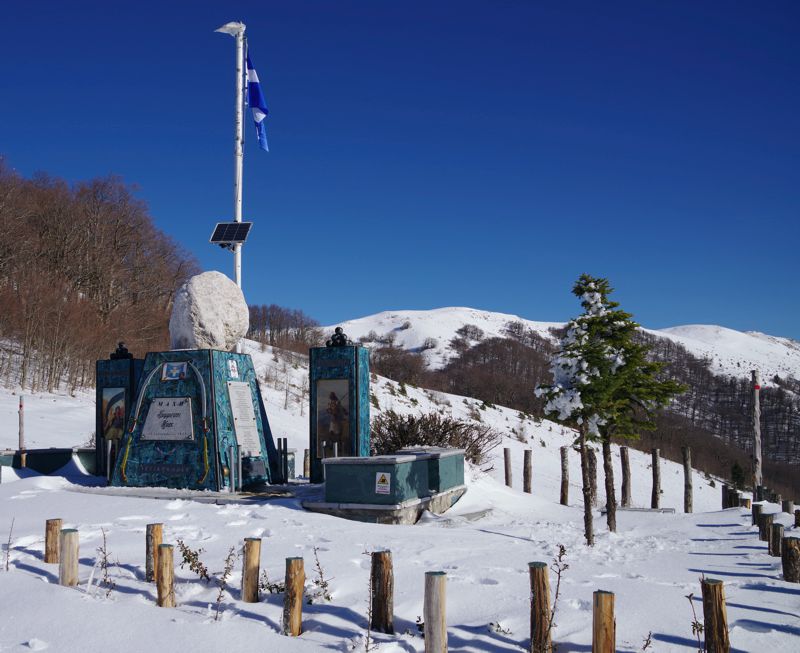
(209, 312)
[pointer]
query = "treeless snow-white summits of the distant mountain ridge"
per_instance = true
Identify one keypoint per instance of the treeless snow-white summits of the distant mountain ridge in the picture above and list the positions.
(729, 352)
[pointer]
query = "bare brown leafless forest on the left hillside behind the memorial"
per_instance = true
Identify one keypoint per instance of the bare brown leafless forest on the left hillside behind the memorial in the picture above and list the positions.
(81, 267)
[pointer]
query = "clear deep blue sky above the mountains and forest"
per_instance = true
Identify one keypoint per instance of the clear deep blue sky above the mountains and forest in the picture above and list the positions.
(428, 154)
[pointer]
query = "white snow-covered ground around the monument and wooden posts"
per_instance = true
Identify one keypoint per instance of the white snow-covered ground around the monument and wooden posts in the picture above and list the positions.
(484, 544)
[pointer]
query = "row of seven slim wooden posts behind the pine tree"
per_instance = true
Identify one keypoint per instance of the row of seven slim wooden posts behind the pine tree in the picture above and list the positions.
(625, 490)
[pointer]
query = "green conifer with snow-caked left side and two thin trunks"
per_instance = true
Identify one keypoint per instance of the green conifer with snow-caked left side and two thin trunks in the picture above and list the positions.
(603, 384)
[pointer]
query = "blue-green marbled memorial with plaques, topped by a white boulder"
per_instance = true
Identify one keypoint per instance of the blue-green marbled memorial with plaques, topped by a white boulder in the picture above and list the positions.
(198, 420)
